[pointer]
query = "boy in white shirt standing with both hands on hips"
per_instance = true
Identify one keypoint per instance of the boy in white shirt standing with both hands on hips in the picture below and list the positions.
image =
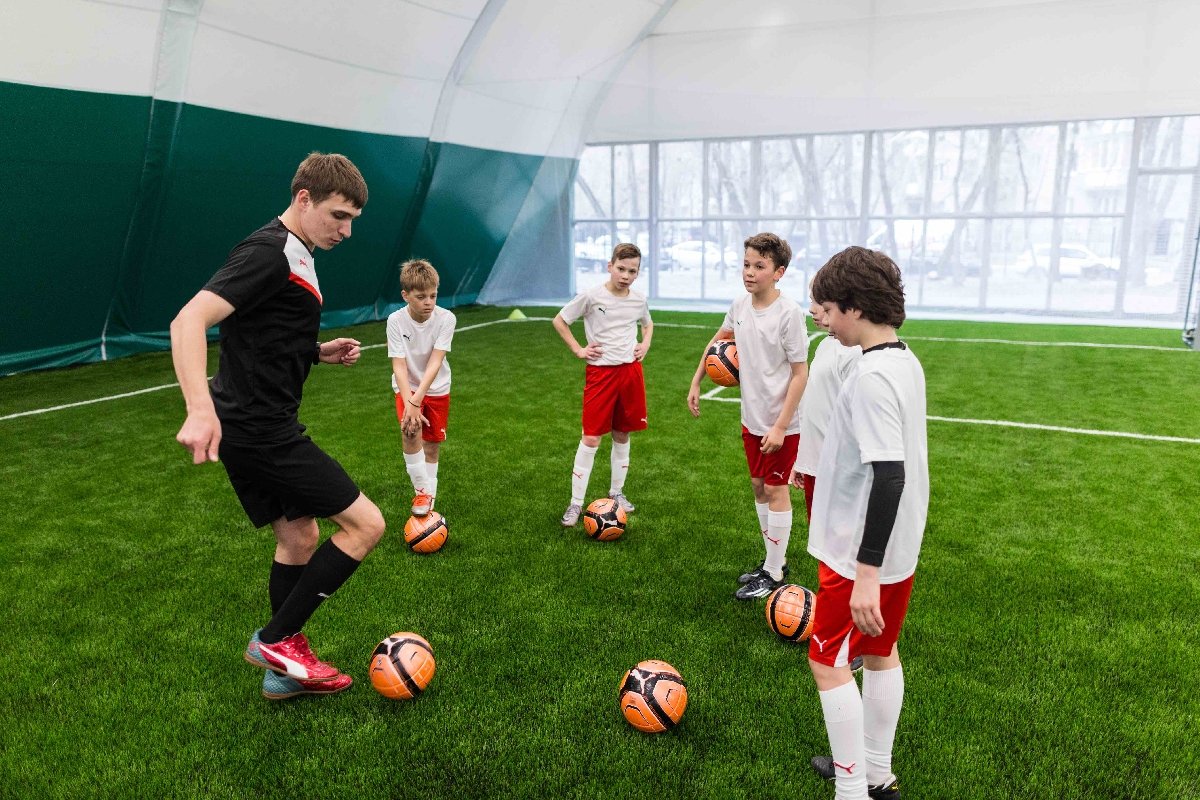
(615, 393)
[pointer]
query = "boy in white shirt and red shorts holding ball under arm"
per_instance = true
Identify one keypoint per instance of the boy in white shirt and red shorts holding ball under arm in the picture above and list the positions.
(773, 348)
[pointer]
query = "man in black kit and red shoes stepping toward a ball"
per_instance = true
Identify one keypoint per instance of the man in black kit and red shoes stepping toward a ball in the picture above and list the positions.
(268, 304)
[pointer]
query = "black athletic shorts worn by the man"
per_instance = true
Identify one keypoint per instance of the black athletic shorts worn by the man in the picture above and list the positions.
(291, 479)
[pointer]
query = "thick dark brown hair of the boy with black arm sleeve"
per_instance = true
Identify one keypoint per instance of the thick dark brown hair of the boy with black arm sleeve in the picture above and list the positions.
(866, 280)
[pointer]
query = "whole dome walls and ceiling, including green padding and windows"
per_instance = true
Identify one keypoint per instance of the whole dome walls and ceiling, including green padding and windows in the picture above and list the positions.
(1023, 160)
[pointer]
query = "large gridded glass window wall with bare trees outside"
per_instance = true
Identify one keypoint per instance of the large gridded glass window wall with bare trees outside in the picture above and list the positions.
(1091, 219)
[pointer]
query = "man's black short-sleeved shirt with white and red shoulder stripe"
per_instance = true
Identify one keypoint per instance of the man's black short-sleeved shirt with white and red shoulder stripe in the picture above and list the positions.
(268, 344)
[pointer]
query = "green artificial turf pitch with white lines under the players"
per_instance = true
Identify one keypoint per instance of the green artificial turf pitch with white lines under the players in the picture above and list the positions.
(1049, 653)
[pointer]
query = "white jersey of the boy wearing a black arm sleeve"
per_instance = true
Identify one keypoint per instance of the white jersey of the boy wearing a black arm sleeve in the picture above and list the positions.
(879, 416)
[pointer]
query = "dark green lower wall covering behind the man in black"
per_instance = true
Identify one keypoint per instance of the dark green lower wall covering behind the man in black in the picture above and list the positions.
(129, 206)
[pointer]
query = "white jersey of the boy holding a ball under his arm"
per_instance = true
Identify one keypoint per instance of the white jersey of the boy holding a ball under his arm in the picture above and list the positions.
(770, 342)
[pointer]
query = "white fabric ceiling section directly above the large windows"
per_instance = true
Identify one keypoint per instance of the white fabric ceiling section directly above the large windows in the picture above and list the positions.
(715, 69)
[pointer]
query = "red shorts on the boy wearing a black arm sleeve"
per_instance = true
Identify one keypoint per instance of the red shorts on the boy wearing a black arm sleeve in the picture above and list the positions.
(833, 624)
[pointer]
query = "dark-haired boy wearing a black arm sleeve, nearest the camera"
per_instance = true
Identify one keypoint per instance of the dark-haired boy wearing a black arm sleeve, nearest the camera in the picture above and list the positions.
(869, 515)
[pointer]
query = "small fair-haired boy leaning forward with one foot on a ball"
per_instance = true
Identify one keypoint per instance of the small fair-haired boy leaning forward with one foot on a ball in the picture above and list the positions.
(419, 336)
